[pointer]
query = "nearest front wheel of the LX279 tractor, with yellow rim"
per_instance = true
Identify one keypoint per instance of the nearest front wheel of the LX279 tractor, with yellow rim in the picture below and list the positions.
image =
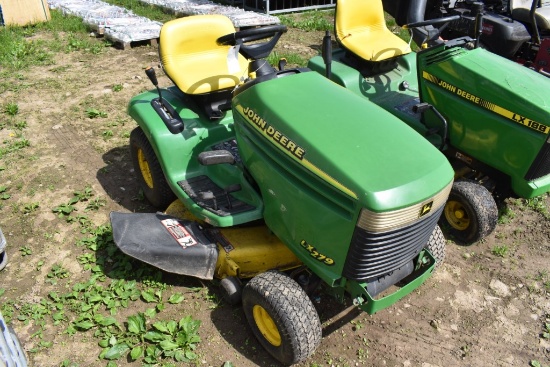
(282, 317)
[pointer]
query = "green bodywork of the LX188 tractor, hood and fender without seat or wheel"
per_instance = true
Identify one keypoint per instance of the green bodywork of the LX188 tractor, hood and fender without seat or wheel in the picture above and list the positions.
(498, 113)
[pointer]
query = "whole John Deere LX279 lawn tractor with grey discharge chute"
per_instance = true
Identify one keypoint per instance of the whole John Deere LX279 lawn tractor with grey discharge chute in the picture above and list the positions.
(281, 180)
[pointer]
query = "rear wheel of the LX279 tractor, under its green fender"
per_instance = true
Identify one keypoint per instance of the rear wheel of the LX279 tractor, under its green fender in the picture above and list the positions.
(149, 172)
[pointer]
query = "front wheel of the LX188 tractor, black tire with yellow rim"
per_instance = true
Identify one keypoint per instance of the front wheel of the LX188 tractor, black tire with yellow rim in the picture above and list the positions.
(470, 213)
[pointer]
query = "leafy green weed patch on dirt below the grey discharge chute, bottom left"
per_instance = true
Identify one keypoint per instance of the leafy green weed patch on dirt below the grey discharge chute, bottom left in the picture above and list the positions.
(91, 307)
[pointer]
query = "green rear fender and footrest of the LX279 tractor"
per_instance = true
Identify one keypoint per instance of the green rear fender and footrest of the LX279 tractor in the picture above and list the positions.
(177, 153)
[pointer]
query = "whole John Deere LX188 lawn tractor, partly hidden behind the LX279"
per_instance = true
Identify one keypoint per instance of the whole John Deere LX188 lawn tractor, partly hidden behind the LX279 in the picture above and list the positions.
(489, 115)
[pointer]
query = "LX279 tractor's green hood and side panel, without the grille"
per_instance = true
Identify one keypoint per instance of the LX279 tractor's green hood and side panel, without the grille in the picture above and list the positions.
(318, 162)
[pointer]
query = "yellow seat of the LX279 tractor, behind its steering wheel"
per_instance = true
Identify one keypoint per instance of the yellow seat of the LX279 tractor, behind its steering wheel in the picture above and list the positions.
(193, 60)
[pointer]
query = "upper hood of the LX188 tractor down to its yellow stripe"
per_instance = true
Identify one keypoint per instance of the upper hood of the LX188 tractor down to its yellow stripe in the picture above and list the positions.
(490, 81)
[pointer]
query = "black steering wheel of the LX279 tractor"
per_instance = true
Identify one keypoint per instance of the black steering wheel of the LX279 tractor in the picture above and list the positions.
(257, 50)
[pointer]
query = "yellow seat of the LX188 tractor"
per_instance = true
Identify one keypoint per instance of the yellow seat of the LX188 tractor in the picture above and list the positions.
(360, 27)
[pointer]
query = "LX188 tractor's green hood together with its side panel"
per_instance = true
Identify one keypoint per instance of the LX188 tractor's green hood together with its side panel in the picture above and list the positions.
(498, 112)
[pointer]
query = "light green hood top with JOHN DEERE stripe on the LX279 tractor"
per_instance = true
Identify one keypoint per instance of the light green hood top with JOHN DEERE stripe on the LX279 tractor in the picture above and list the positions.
(348, 142)
